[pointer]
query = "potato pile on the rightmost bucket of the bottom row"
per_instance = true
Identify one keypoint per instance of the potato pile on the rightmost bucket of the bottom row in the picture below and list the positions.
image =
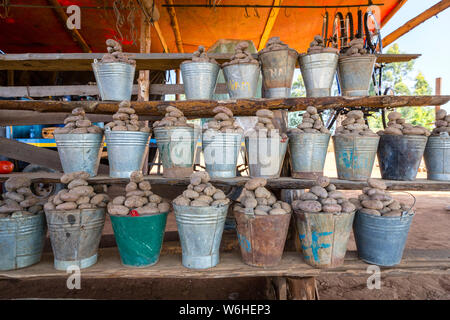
(375, 200)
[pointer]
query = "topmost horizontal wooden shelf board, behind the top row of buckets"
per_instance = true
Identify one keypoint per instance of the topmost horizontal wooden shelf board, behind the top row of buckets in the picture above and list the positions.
(144, 61)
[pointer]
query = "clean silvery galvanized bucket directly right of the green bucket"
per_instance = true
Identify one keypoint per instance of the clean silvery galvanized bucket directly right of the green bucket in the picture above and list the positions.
(200, 230)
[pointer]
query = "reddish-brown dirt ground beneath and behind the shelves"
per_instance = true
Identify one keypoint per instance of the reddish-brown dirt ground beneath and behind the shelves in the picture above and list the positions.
(429, 230)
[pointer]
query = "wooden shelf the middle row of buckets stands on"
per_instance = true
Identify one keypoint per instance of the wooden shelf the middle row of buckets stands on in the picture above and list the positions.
(279, 183)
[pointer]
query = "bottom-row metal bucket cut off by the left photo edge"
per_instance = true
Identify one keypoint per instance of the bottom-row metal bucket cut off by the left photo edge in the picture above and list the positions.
(21, 241)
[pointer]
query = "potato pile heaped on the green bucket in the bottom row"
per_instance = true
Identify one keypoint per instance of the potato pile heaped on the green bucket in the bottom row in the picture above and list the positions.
(138, 197)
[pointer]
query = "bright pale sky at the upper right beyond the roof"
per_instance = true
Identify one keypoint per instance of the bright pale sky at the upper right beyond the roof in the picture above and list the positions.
(430, 39)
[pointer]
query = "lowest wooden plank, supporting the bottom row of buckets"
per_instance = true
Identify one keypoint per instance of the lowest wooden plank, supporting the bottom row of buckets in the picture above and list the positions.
(230, 266)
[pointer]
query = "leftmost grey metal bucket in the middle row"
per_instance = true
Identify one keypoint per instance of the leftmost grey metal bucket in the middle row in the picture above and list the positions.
(80, 151)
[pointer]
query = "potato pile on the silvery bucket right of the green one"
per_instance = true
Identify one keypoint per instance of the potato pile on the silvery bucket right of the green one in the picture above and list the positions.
(201, 193)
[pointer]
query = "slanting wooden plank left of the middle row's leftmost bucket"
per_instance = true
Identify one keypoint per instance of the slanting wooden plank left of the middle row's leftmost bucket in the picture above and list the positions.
(31, 154)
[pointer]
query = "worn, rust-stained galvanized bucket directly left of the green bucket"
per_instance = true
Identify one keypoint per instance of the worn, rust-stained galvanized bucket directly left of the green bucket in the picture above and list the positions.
(75, 236)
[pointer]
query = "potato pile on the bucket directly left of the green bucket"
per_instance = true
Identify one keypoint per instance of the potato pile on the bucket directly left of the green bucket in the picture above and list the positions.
(78, 195)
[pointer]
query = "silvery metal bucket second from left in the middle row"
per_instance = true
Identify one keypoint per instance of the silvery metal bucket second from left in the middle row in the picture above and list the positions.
(126, 152)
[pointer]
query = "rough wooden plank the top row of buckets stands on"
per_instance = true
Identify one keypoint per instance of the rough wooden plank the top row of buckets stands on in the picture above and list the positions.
(242, 107)
